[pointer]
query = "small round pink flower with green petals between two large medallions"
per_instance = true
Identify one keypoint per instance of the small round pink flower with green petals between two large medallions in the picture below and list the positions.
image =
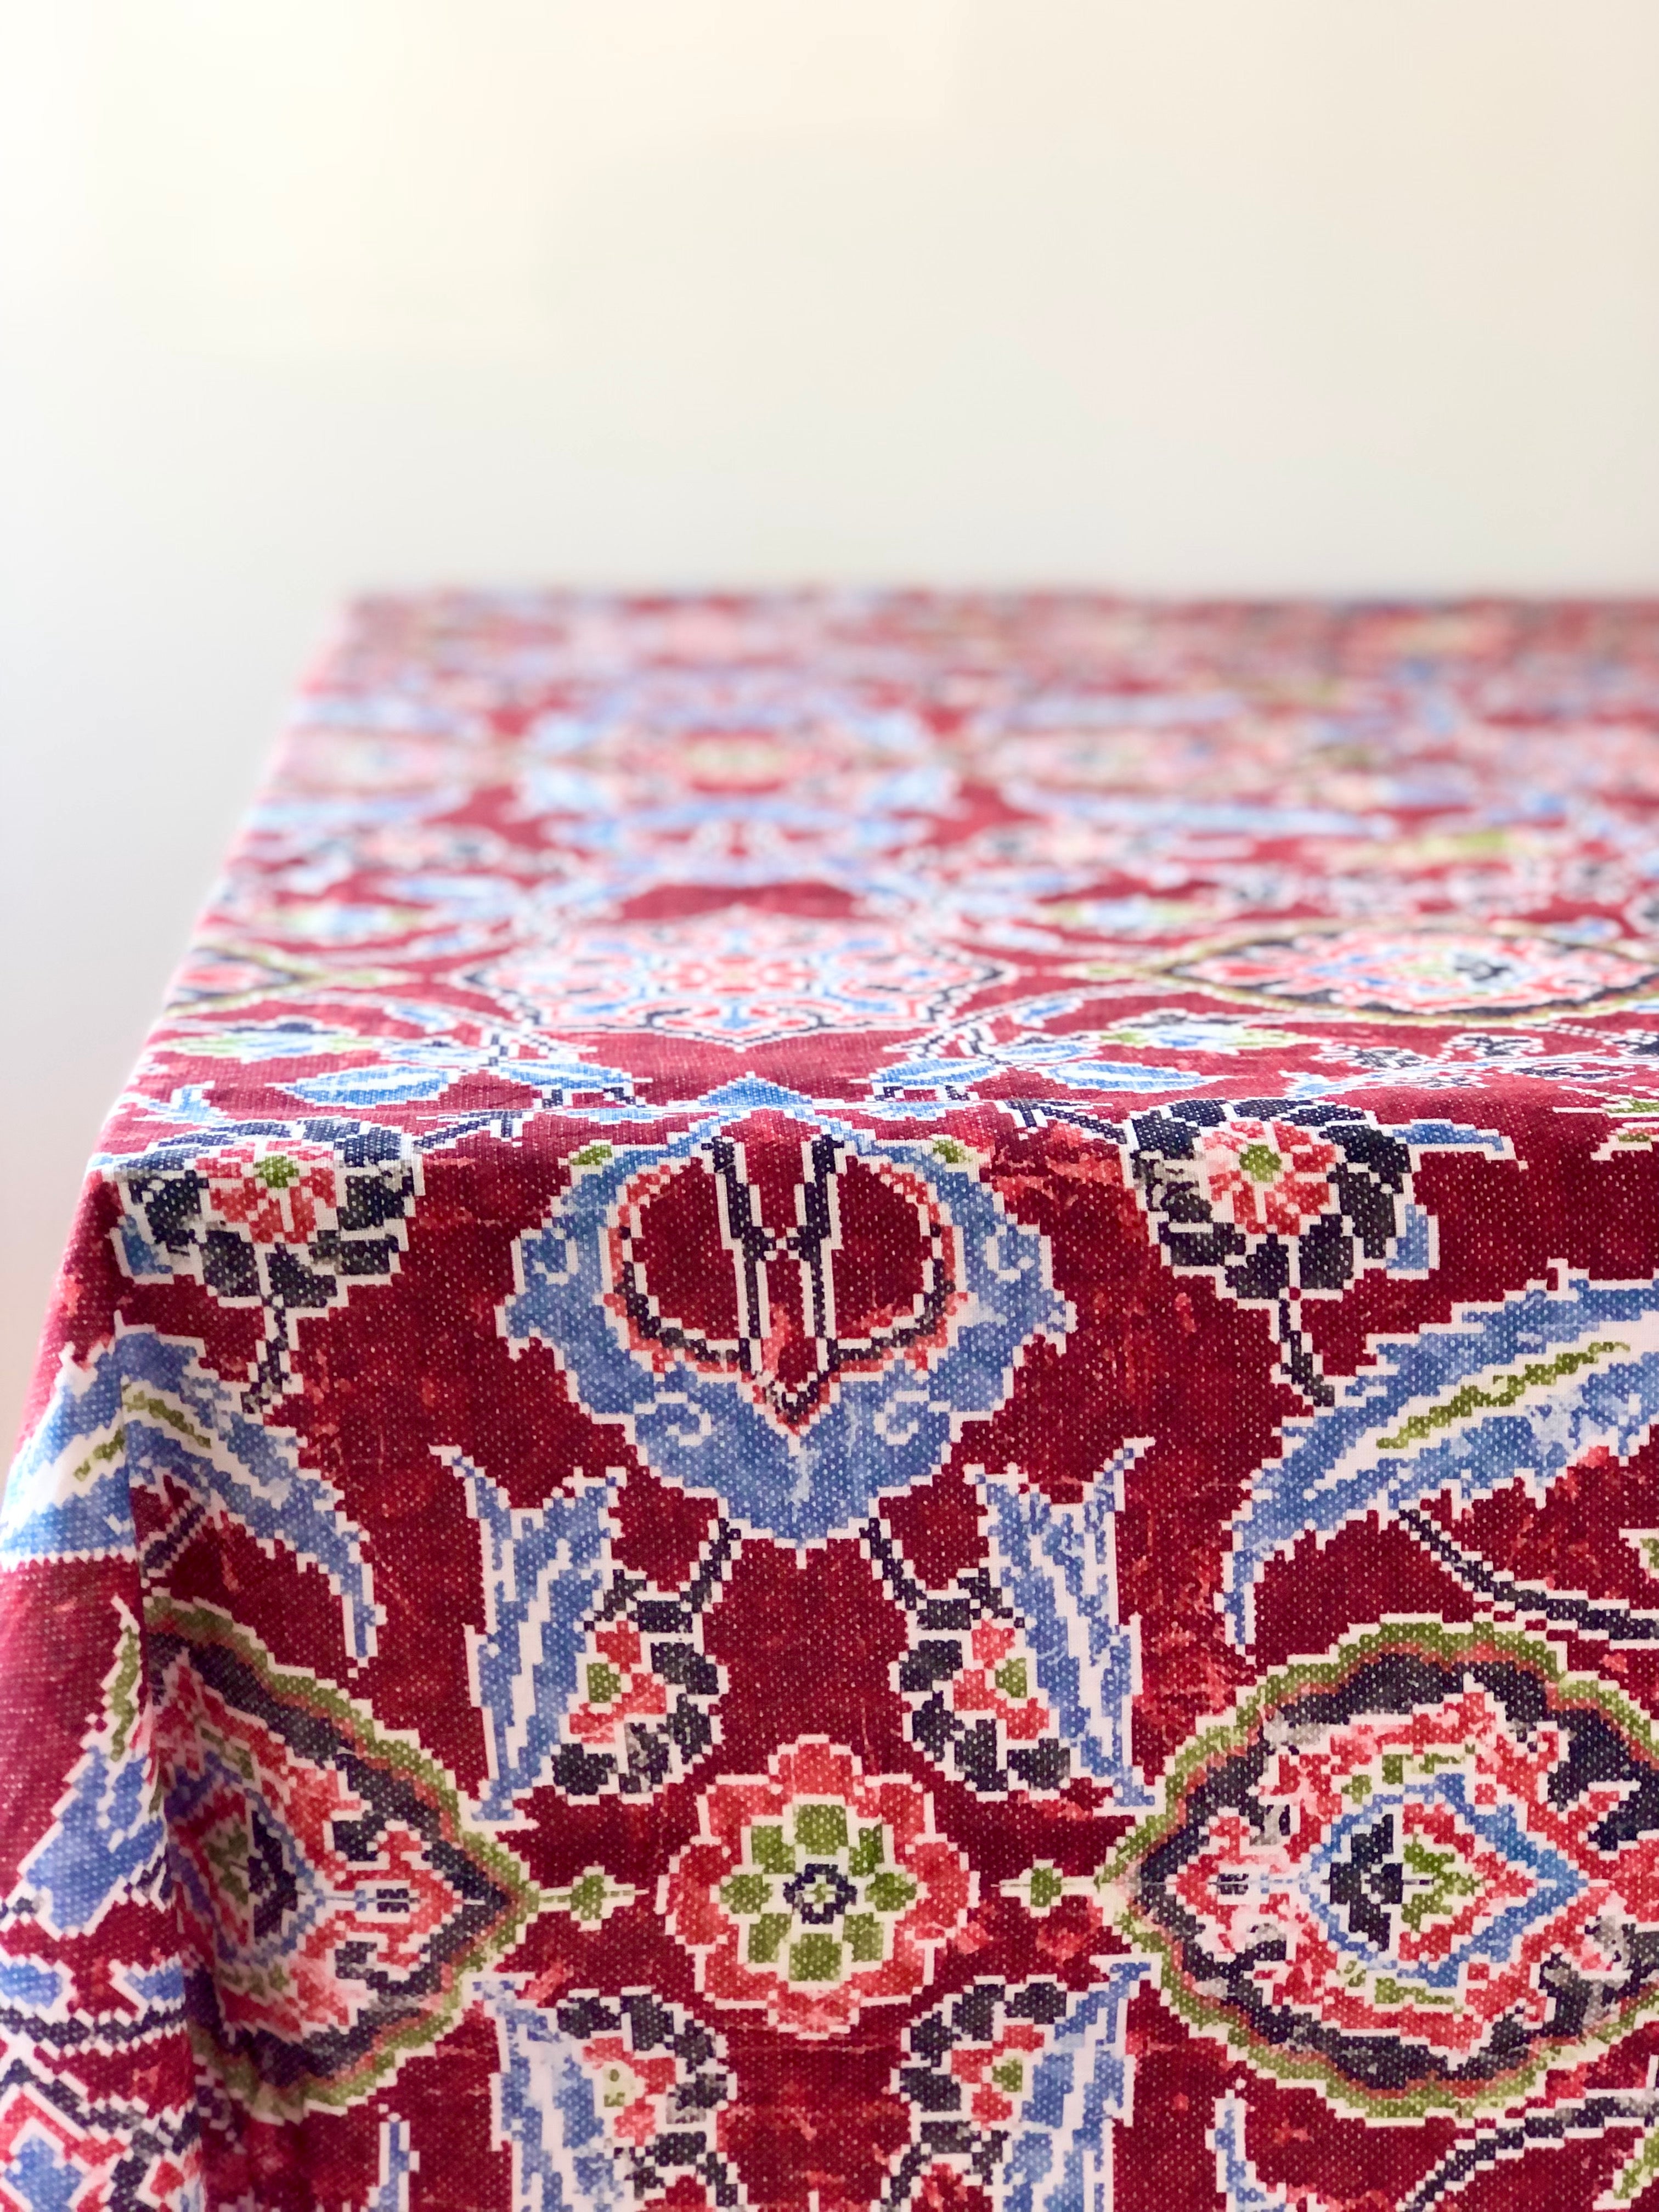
(817, 1890)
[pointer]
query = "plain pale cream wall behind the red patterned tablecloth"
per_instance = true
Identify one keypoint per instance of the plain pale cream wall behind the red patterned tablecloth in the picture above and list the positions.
(1178, 295)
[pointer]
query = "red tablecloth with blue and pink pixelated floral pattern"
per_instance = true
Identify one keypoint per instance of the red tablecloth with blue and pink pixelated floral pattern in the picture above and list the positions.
(859, 1412)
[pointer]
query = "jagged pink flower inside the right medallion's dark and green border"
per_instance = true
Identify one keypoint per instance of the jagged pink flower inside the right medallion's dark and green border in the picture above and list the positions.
(1472, 1917)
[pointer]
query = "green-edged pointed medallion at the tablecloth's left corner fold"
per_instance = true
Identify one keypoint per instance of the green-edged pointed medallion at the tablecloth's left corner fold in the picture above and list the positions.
(331, 1890)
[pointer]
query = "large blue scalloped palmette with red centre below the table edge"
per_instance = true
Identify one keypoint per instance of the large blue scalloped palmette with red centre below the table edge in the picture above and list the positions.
(786, 1311)
